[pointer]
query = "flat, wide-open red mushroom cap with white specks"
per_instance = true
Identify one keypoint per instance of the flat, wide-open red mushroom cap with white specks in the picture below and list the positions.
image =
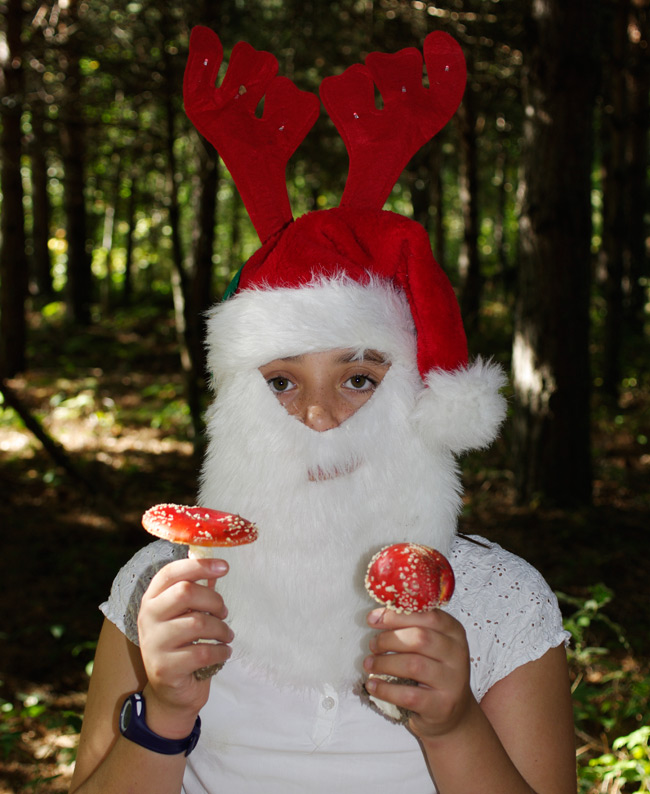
(198, 526)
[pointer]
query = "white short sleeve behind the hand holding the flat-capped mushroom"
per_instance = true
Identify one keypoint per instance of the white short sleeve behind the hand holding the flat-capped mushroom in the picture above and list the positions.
(131, 582)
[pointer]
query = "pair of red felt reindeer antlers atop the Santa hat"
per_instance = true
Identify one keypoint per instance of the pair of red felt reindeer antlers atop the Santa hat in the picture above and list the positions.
(379, 142)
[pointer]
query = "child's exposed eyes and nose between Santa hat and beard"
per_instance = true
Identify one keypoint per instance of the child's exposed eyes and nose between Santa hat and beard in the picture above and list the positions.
(322, 390)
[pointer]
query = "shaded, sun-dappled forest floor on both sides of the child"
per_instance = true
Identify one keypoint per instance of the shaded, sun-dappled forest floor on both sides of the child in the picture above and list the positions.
(114, 398)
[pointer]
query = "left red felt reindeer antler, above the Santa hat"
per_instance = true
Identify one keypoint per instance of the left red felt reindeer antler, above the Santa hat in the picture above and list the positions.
(255, 150)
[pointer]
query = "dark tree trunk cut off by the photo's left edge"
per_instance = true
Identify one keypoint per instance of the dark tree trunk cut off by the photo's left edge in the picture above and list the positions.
(13, 260)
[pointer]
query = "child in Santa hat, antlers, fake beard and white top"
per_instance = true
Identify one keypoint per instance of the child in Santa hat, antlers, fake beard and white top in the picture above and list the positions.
(343, 394)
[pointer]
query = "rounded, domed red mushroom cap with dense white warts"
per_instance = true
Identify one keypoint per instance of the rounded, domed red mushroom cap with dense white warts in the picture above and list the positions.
(409, 577)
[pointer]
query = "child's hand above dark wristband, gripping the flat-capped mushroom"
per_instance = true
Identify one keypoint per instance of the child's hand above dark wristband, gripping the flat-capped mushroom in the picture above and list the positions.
(176, 612)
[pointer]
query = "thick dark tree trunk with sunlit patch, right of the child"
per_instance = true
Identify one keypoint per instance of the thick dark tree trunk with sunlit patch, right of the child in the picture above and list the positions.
(551, 342)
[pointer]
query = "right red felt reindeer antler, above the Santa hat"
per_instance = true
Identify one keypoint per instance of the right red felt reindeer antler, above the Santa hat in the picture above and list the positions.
(381, 142)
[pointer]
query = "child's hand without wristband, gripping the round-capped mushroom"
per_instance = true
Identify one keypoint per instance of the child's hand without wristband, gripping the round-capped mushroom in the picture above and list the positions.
(430, 648)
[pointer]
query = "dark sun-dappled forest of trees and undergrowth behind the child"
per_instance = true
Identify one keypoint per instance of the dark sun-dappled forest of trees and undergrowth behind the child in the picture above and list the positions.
(120, 227)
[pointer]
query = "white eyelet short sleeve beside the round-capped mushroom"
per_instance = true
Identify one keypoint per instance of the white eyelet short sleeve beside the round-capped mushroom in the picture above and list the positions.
(510, 614)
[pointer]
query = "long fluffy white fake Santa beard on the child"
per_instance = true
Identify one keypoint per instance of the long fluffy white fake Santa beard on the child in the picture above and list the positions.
(324, 503)
